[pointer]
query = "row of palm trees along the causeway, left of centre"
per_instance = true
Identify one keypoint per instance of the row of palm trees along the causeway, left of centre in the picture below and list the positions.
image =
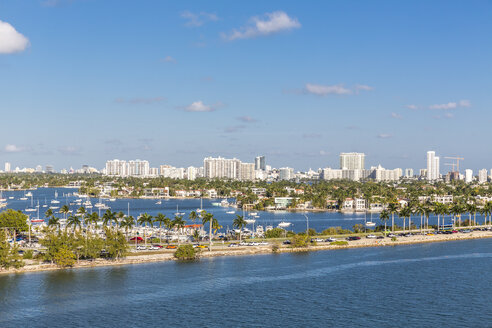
(118, 220)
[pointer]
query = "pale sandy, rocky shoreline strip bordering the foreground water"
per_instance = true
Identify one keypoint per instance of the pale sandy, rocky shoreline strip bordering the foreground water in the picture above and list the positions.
(221, 251)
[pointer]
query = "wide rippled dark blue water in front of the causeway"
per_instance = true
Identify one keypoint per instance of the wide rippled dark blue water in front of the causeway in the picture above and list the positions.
(433, 285)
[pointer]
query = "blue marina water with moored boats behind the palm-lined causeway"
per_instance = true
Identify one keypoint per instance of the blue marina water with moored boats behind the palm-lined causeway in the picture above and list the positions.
(318, 221)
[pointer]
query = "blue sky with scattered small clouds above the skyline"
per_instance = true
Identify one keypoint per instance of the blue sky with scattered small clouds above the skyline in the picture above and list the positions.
(83, 81)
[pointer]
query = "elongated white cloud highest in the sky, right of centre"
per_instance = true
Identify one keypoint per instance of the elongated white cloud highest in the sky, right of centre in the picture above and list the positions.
(270, 23)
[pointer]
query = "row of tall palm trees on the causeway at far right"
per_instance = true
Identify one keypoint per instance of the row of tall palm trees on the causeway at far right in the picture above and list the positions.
(425, 210)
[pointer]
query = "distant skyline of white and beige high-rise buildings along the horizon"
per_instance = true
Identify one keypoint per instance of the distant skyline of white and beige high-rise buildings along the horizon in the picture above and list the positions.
(352, 167)
